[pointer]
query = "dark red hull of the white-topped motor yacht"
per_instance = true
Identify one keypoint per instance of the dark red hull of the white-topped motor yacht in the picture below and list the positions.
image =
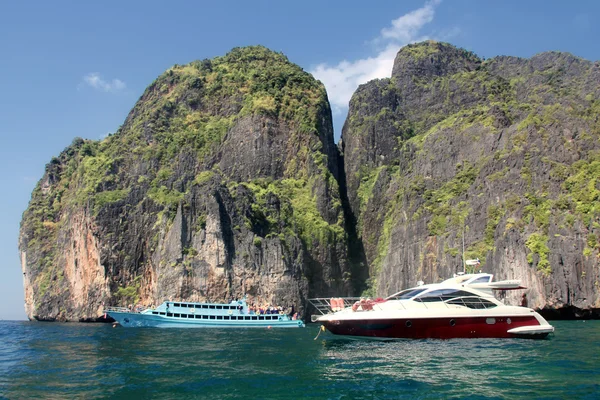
(438, 328)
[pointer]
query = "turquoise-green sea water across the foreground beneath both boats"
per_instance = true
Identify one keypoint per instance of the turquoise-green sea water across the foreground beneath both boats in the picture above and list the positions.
(53, 360)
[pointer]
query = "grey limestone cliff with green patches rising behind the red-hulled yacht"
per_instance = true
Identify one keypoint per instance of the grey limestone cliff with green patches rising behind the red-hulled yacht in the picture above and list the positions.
(503, 154)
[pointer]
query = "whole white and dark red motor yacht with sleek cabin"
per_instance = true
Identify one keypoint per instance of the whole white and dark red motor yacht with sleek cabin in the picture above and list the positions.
(461, 307)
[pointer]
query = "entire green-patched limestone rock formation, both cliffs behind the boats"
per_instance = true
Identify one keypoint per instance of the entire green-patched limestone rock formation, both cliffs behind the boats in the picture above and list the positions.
(224, 180)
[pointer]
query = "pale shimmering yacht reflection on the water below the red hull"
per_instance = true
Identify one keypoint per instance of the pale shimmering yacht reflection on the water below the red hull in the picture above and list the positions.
(457, 366)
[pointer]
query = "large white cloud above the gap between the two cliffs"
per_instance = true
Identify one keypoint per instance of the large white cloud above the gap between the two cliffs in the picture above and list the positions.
(341, 80)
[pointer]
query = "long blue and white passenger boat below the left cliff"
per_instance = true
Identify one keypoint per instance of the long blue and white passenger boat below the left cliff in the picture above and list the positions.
(179, 314)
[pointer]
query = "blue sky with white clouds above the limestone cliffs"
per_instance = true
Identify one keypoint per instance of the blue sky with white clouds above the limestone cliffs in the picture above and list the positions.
(75, 69)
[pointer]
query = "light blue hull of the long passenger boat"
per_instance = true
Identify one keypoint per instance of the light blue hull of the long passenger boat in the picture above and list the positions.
(137, 320)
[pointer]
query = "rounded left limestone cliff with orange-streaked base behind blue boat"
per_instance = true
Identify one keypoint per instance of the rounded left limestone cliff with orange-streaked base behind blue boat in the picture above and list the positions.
(223, 181)
